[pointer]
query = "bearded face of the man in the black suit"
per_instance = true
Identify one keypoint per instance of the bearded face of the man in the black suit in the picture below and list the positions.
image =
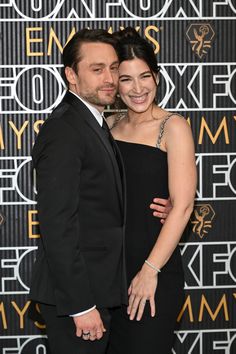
(96, 80)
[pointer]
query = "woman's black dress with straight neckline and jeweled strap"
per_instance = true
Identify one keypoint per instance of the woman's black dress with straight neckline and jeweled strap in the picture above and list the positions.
(147, 177)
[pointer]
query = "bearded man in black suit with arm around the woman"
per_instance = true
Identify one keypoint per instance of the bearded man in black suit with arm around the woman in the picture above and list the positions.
(80, 270)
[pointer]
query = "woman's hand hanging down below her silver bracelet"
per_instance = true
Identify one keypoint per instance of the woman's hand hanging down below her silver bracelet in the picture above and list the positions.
(142, 289)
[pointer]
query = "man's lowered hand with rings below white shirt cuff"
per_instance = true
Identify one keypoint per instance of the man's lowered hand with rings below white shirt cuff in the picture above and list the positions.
(89, 326)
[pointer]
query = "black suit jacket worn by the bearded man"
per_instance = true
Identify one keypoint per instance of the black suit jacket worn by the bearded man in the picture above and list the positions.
(80, 261)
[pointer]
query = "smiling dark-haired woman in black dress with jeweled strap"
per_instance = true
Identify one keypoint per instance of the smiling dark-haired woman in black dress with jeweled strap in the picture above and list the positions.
(158, 153)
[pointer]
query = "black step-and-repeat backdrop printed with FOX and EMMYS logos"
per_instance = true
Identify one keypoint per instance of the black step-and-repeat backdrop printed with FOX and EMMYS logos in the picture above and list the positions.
(194, 41)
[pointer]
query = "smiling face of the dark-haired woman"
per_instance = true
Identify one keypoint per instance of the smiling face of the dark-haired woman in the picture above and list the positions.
(137, 87)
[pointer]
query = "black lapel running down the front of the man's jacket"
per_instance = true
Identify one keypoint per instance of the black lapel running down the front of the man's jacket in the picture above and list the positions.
(92, 122)
